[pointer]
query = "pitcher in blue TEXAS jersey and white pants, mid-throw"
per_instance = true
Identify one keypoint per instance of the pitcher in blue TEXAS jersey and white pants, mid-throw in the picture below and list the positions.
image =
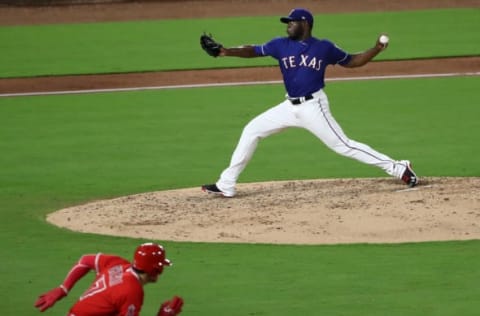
(303, 60)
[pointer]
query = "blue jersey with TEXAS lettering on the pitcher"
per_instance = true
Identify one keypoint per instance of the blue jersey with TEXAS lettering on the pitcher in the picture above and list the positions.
(303, 63)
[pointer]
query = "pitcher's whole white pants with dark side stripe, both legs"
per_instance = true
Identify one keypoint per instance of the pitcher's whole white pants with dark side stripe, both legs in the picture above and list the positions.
(313, 115)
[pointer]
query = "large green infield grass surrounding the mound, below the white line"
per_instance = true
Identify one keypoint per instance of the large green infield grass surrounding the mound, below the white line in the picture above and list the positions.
(64, 150)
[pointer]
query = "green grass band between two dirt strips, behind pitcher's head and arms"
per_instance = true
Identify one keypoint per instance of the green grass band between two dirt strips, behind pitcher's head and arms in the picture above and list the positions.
(174, 44)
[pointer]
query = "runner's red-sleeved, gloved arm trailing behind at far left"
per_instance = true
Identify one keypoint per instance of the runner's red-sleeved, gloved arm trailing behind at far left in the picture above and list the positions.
(82, 267)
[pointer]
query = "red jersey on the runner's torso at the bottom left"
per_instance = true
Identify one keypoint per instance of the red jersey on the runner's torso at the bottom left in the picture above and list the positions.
(116, 290)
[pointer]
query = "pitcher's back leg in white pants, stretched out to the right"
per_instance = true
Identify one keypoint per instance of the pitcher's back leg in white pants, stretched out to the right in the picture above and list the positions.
(325, 127)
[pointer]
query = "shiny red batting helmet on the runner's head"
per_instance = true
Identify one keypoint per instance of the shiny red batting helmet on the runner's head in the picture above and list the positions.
(150, 258)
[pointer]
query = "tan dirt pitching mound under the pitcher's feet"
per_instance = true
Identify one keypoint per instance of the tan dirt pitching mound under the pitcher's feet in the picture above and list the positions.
(292, 212)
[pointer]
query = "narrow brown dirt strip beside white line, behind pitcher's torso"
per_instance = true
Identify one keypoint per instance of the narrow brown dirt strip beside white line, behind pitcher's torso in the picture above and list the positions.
(460, 66)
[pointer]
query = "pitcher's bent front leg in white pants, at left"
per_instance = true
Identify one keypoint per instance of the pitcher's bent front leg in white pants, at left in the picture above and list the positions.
(270, 122)
